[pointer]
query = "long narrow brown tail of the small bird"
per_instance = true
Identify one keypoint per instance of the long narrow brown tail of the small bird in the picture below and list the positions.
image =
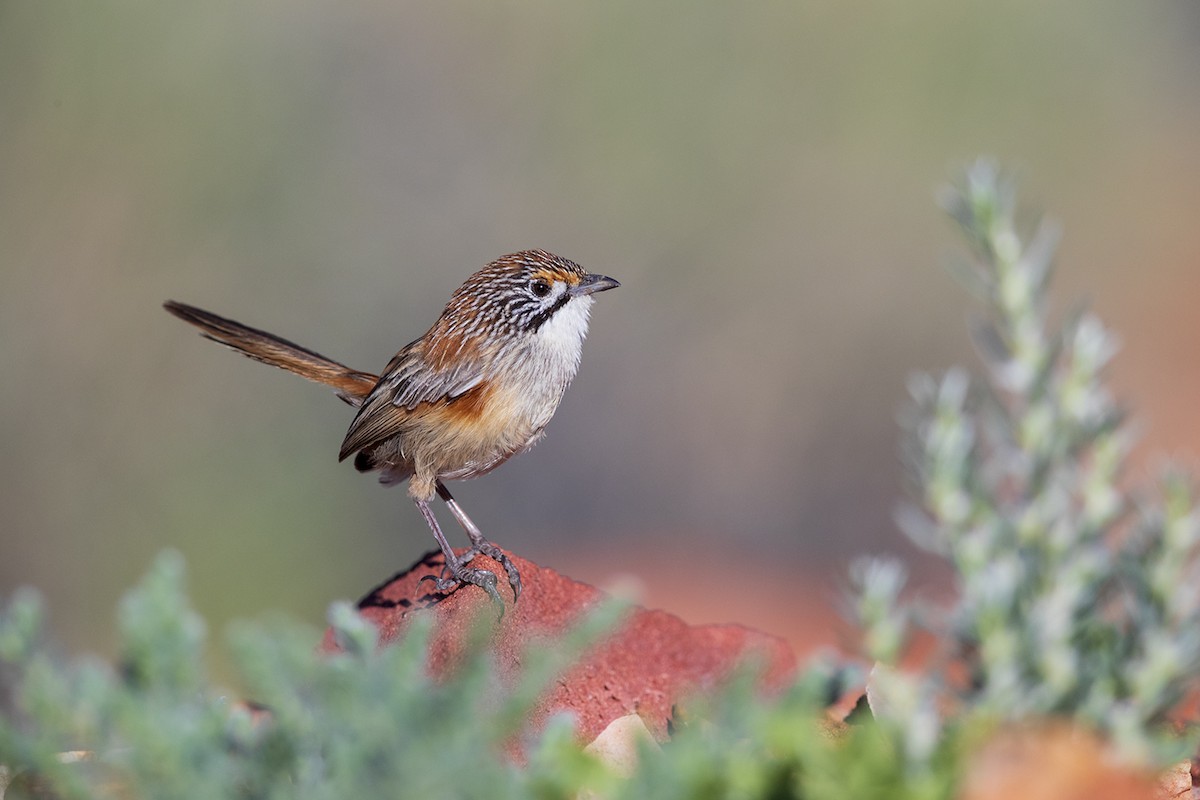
(350, 384)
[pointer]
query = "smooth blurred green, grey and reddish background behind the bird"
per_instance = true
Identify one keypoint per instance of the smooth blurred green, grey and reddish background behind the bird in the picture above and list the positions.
(760, 178)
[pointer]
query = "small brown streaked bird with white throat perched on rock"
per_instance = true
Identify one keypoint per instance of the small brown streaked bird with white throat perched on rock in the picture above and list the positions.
(475, 390)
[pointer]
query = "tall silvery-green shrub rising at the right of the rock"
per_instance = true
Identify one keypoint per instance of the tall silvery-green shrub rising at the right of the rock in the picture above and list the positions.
(1076, 596)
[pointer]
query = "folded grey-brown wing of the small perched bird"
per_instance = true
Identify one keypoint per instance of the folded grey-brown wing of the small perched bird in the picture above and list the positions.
(407, 383)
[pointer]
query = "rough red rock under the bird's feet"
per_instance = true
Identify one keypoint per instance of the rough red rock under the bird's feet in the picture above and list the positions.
(652, 663)
